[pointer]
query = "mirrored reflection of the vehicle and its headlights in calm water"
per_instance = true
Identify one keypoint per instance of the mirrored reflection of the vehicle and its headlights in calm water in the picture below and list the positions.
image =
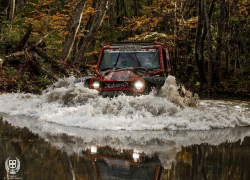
(123, 164)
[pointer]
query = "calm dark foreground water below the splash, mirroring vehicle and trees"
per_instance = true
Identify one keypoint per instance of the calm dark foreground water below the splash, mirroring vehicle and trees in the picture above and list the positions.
(62, 151)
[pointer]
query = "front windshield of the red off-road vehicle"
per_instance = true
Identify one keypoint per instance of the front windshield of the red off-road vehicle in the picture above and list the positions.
(143, 59)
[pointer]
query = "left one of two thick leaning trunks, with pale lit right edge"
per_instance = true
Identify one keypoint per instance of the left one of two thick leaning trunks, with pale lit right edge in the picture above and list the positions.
(76, 20)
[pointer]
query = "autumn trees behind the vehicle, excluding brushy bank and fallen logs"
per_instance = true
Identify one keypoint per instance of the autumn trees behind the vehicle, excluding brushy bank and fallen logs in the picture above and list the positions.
(208, 40)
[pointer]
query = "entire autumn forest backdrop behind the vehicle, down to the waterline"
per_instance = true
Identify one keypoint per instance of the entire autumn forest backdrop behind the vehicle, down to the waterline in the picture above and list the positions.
(44, 40)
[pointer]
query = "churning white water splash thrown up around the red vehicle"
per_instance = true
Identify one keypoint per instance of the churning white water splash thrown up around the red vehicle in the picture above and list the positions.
(72, 104)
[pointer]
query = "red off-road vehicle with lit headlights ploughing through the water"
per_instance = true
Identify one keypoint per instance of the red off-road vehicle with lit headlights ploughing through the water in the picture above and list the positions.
(130, 68)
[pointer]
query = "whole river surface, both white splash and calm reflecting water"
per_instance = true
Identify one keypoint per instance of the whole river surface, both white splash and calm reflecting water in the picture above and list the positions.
(69, 132)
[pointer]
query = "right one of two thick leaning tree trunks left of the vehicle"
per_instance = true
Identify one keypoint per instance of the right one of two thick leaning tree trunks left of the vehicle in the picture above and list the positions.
(98, 18)
